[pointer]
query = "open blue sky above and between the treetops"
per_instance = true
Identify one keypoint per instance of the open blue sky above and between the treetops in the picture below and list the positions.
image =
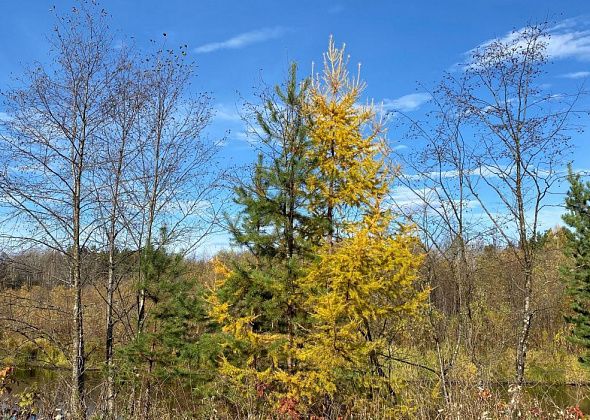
(237, 43)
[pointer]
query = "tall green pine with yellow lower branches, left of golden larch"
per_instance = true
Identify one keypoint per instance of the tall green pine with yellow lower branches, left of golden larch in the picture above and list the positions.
(257, 302)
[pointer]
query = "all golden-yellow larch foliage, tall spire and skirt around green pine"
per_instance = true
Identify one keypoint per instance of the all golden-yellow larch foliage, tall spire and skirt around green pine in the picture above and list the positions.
(361, 286)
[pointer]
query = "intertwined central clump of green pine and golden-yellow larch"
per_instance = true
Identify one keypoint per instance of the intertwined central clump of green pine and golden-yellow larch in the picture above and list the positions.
(313, 306)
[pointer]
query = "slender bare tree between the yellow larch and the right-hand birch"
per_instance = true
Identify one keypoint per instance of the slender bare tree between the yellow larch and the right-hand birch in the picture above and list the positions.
(438, 203)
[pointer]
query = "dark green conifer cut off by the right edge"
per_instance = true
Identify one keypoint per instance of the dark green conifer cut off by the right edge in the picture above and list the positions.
(577, 274)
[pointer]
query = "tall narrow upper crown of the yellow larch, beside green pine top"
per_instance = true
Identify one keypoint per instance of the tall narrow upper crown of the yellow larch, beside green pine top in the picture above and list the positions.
(345, 145)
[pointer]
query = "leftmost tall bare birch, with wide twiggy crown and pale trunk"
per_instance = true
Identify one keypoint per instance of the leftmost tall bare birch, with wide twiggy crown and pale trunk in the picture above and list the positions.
(47, 144)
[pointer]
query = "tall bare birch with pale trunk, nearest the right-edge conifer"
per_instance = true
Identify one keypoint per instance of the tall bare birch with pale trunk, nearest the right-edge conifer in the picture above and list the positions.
(521, 138)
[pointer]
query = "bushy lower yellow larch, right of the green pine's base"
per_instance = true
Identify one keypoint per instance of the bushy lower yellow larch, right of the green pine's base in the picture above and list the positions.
(366, 279)
